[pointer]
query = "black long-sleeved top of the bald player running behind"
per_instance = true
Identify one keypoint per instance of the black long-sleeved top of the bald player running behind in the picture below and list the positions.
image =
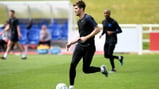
(111, 25)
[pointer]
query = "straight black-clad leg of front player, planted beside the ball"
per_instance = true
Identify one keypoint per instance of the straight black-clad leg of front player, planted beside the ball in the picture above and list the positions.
(77, 55)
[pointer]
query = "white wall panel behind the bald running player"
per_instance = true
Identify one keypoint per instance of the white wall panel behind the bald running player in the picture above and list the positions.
(130, 40)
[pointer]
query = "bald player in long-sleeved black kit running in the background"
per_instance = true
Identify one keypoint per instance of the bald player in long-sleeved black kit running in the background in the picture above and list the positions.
(111, 29)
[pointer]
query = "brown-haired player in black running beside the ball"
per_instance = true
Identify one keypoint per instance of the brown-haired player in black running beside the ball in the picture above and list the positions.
(85, 47)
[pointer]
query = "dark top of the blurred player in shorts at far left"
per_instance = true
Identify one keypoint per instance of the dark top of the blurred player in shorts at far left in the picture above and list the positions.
(13, 23)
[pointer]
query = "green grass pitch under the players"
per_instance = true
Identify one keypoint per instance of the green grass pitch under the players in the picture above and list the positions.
(46, 71)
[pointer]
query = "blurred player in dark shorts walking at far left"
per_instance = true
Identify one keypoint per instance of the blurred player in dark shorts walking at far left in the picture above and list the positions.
(13, 26)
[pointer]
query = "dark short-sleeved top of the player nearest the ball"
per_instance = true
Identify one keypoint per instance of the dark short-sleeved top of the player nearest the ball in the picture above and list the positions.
(86, 25)
